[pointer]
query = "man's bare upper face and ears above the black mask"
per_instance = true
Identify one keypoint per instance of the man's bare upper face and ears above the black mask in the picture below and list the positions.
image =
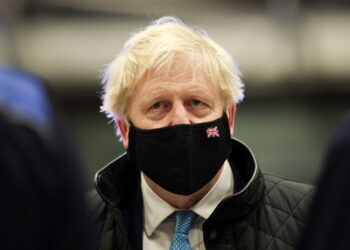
(162, 100)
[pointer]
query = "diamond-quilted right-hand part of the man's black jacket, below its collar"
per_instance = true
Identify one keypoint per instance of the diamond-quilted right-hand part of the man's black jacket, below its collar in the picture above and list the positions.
(274, 226)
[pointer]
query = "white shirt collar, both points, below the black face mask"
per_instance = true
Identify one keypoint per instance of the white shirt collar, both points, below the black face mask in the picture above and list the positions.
(156, 209)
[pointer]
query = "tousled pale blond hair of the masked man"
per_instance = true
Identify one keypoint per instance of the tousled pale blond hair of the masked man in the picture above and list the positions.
(158, 47)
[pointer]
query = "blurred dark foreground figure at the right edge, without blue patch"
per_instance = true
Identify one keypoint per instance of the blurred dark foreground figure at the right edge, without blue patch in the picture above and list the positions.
(329, 224)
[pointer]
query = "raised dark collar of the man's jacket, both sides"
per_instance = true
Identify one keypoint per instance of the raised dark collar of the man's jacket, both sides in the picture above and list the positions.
(119, 179)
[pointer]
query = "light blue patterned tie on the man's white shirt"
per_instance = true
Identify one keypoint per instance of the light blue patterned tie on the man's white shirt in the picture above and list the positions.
(183, 221)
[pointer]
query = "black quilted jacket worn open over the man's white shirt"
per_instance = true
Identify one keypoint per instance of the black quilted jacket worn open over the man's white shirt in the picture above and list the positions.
(265, 213)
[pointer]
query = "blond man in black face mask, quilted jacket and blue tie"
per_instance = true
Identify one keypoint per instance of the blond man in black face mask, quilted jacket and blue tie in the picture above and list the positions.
(184, 183)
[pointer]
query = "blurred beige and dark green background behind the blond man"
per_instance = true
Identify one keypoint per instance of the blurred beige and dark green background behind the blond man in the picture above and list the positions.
(294, 56)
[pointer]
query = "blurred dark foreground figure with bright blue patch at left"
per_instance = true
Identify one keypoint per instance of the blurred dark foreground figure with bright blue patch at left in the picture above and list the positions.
(42, 190)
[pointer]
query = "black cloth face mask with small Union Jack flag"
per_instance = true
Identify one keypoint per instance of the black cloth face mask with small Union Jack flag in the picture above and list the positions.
(181, 158)
